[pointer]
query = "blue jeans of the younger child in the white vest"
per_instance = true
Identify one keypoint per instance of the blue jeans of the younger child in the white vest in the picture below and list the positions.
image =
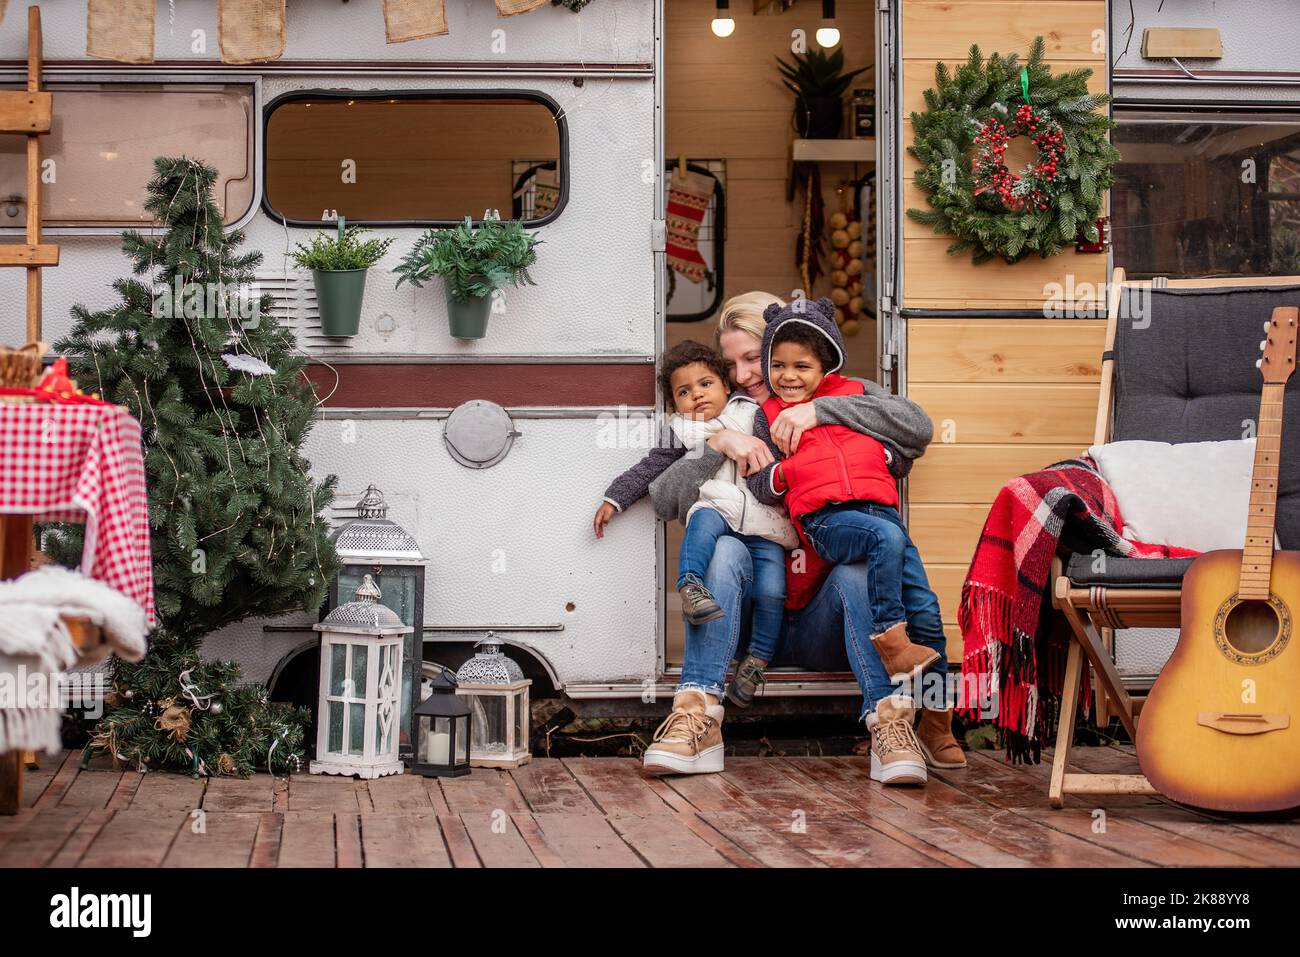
(705, 530)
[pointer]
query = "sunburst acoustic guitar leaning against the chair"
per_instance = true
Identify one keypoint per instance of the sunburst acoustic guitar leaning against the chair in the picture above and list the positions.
(1221, 728)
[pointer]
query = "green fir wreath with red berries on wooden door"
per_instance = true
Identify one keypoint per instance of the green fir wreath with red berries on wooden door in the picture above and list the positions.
(961, 140)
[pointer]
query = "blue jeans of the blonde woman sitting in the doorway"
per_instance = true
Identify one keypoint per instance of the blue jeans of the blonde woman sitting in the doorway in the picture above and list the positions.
(833, 634)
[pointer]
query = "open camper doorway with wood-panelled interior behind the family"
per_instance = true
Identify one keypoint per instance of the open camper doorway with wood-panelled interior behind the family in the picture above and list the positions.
(730, 127)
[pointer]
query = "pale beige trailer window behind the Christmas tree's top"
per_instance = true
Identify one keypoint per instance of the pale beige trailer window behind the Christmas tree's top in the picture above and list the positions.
(103, 141)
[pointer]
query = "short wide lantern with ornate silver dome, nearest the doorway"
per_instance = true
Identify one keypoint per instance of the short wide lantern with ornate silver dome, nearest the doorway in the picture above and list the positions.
(499, 707)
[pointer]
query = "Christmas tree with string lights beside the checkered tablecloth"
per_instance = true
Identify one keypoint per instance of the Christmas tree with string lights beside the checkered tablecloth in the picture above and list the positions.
(236, 521)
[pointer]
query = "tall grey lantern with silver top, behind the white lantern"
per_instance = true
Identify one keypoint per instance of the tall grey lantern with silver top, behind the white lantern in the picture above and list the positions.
(374, 545)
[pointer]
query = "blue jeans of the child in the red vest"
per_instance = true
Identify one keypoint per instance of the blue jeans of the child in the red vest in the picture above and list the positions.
(850, 532)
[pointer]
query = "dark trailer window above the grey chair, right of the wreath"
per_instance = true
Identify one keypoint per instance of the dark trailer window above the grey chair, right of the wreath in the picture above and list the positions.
(1207, 193)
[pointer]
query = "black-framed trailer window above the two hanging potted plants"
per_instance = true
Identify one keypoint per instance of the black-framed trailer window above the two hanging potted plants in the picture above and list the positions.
(418, 159)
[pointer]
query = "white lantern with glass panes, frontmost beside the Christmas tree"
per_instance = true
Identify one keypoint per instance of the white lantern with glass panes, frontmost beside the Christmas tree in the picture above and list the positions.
(361, 679)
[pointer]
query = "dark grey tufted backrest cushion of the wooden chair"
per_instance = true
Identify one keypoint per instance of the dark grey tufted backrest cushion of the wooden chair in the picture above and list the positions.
(1185, 373)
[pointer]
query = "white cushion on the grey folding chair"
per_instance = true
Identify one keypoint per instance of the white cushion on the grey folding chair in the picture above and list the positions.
(1193, 495)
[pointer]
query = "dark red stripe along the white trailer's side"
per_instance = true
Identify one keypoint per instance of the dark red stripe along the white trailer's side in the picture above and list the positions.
(445, 386)
